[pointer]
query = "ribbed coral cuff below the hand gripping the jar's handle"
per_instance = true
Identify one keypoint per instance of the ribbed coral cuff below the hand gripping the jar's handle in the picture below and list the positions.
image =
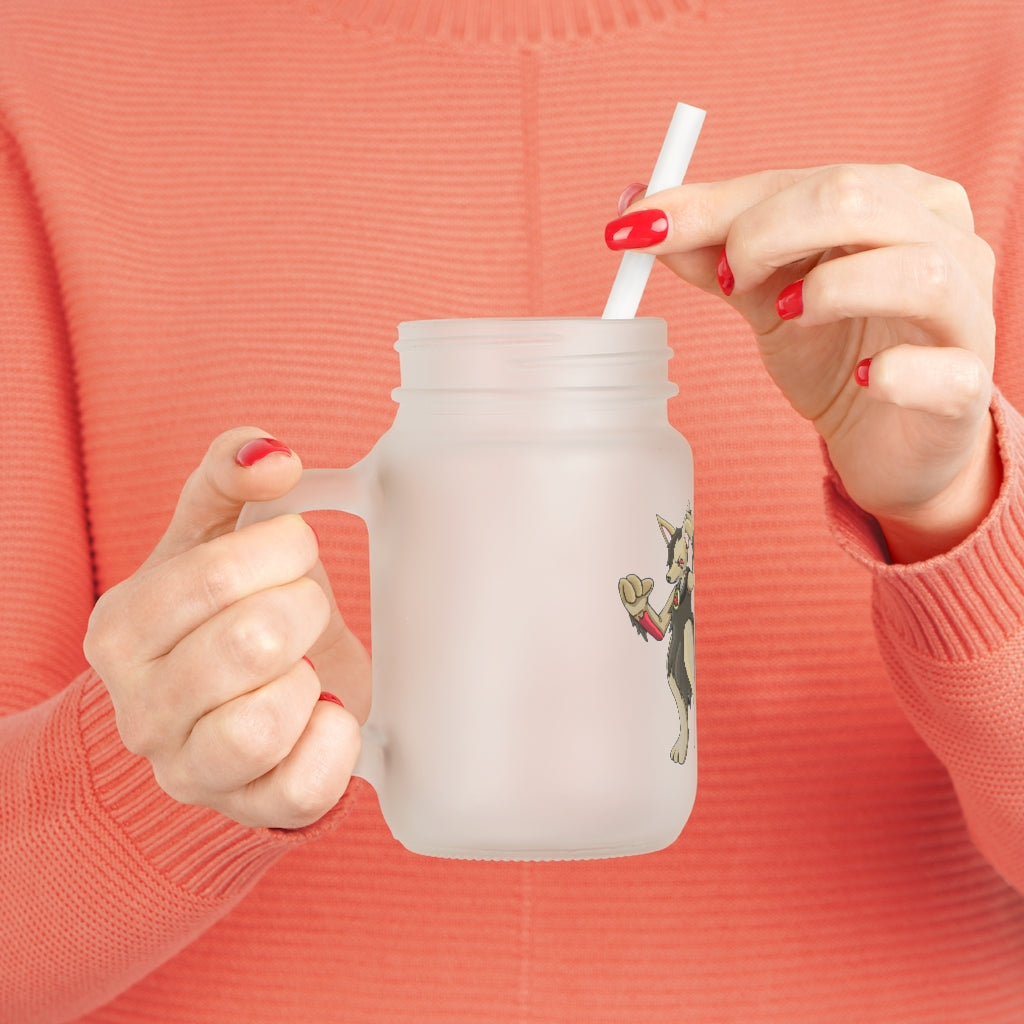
(194, 848)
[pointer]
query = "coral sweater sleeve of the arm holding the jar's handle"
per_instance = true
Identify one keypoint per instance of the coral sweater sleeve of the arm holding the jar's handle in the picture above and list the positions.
(103, 877)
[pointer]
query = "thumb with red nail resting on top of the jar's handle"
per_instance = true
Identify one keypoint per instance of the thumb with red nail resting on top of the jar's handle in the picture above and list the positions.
(242, 465)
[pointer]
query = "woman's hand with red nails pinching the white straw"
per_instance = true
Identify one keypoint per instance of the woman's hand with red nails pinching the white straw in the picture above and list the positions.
(871, 298)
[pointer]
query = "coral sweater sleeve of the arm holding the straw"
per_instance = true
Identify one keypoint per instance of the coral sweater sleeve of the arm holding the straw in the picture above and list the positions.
(952, 632)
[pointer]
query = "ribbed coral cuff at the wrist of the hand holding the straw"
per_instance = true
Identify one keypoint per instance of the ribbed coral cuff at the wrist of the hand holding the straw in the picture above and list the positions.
(963, 605)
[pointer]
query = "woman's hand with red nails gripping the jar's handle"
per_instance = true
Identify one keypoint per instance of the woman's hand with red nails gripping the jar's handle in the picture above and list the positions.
(203, 651)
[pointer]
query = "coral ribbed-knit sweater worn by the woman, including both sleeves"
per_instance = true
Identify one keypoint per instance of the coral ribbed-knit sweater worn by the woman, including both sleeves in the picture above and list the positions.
(216, 214)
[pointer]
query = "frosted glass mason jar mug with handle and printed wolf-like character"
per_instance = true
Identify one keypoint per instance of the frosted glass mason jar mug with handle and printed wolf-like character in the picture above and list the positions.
(531, 524)
